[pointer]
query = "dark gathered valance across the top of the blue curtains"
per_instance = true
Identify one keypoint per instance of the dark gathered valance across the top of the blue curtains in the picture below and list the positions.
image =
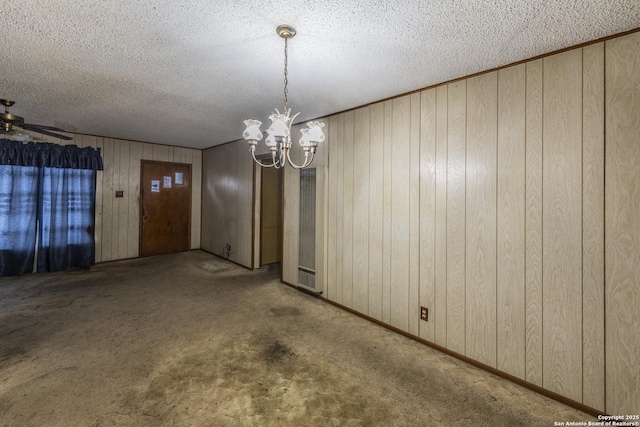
(49, 155)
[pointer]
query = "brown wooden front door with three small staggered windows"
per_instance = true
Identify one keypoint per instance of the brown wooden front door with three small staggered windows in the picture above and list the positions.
(165, 208)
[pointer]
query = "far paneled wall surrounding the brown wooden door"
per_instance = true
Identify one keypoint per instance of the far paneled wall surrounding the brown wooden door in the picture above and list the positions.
(118, 219)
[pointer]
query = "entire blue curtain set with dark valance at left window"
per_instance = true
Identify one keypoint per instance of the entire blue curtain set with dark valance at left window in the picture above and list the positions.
(51, 188)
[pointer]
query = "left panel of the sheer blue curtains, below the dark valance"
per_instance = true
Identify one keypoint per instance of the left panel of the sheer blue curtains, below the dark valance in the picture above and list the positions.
(18, 207)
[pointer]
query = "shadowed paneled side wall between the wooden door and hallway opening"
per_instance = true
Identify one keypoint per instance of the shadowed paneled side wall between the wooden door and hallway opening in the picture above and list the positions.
(227, 201)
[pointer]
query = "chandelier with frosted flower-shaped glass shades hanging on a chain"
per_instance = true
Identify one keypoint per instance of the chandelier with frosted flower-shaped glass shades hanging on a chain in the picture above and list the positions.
(279, 133)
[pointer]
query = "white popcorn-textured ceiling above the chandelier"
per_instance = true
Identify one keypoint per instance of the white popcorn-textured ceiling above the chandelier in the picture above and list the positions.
(188, 73)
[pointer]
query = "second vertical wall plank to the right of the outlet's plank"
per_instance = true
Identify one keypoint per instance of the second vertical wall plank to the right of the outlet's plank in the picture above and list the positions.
(456, 216)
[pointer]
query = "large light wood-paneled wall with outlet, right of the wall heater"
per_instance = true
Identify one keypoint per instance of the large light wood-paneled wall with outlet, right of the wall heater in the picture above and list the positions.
(484, 201)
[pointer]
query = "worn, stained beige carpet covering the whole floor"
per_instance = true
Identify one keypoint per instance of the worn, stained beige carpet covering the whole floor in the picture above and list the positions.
(190, 340)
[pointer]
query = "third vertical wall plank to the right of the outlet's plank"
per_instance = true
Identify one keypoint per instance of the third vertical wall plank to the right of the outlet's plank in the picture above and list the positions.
(480, 225)
